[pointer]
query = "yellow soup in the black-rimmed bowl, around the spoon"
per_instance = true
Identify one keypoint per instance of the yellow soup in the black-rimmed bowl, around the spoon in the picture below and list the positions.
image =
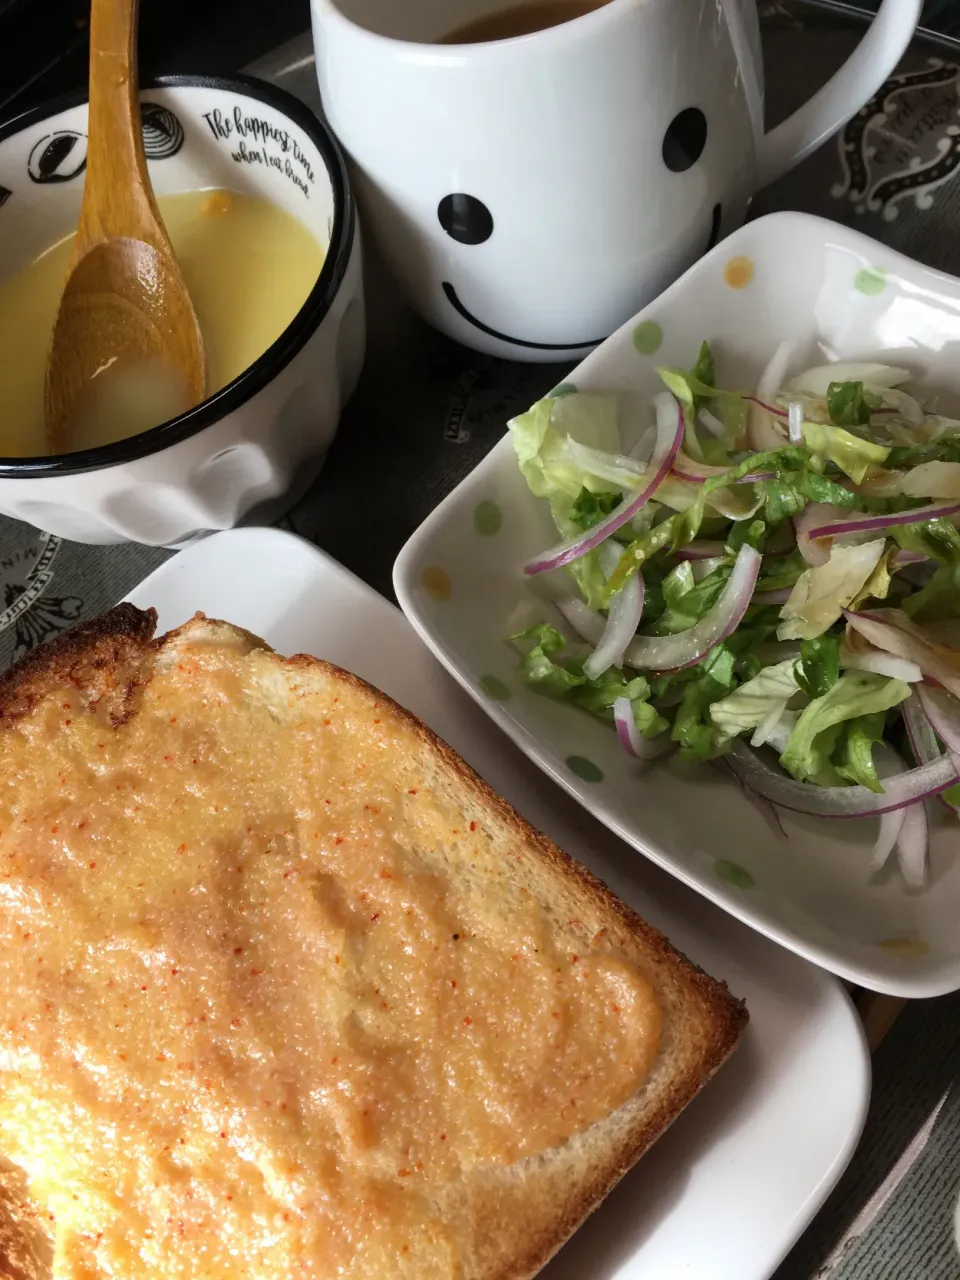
(249, 267)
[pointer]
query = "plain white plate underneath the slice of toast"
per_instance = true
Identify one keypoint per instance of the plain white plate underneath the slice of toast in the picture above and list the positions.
(740, 1174)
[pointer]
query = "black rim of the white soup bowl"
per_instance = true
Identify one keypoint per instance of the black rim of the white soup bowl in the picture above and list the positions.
(277, 356)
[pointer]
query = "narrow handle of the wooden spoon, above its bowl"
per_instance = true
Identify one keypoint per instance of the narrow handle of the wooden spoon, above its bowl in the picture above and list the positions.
(117, 194)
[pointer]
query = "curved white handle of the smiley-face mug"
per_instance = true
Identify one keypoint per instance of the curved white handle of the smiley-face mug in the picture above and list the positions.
(844, 94)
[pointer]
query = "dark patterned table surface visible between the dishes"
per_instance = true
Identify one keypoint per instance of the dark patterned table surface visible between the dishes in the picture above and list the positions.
(428, 410)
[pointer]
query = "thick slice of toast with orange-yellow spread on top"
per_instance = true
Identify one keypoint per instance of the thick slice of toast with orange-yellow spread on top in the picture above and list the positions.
(312, 995)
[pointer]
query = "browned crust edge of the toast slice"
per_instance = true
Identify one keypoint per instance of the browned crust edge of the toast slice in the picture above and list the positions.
(109, 660)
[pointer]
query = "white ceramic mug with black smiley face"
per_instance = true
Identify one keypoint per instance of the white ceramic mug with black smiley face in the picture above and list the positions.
(532, 194)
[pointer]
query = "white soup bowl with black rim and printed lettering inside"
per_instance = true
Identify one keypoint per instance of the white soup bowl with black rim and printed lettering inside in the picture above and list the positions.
(250, 449)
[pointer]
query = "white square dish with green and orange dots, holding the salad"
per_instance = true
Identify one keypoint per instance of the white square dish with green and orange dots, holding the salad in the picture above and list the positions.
(838, 295)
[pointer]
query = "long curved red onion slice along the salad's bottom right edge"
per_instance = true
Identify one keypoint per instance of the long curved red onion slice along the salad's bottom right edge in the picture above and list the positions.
(900, 792)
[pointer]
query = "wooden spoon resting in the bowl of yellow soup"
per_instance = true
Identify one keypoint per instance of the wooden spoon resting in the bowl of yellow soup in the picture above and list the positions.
(126, 301)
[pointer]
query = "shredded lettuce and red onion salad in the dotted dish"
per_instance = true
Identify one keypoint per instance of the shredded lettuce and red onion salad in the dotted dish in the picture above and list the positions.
(770, 579)
